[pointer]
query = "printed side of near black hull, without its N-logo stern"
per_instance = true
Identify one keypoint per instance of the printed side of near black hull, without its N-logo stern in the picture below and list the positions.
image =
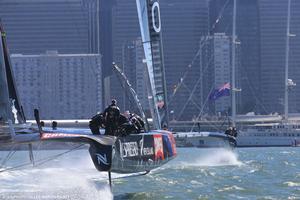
(142, 152)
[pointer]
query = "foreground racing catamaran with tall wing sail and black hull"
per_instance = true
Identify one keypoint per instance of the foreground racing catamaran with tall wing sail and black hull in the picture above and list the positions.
(129, 154)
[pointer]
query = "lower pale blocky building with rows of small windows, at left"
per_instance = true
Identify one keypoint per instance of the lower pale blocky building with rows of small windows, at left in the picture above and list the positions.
(62, 86)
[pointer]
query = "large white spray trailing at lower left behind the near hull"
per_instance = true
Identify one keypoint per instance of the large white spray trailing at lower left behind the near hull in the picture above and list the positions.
(69, 179)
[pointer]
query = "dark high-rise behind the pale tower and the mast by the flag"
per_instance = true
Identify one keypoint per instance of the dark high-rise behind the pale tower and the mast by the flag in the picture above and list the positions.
(248, 32)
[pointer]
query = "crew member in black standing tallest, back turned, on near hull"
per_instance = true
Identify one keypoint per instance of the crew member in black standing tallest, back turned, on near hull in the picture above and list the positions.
(111, 115)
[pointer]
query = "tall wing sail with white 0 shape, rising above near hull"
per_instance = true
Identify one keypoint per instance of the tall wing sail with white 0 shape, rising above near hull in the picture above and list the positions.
(150, 26)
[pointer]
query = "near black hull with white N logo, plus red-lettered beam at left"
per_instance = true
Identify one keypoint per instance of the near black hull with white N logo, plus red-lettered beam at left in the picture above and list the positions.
(130, 154)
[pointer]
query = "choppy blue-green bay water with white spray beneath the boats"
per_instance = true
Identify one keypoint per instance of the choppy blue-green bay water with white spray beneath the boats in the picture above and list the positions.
(247, 173)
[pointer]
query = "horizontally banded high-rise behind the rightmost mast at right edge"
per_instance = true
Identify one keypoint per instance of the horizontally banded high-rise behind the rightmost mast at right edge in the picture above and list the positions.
(273, 26)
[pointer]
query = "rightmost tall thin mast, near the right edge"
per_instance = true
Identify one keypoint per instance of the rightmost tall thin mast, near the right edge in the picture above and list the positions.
(286, 98)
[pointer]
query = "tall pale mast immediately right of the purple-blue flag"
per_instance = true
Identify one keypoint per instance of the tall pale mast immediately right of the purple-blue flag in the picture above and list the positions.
(233, 89)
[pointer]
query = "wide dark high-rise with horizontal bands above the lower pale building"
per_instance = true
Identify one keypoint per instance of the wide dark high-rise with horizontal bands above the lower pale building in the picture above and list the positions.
(34, 26)
